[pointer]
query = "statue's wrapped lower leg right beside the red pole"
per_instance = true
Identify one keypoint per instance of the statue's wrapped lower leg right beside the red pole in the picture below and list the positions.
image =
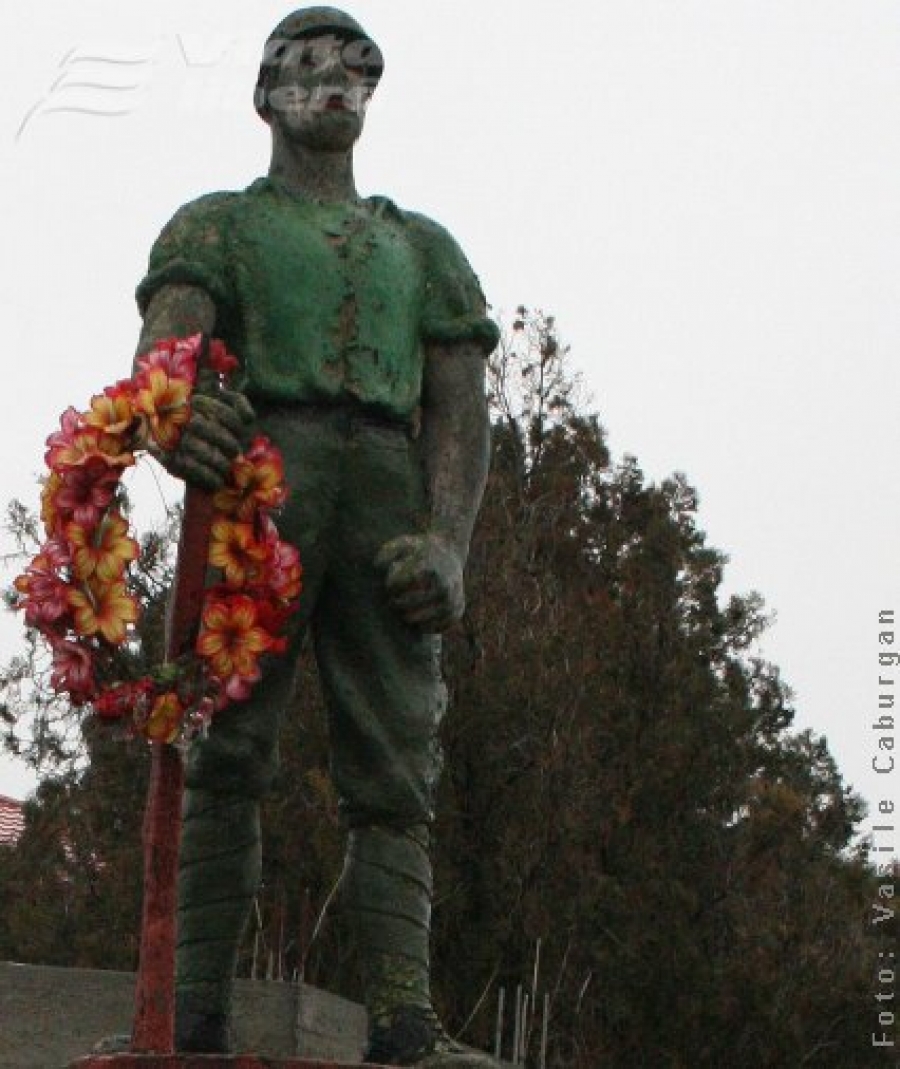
(219, 877)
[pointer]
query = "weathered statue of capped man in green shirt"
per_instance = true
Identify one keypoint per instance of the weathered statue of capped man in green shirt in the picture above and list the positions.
(362, 333)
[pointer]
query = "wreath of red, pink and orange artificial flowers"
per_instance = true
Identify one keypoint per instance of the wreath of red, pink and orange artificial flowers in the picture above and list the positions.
(76, 593)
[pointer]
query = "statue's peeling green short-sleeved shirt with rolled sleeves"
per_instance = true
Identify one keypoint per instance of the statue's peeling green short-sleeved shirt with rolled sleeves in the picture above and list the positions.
(323, 304)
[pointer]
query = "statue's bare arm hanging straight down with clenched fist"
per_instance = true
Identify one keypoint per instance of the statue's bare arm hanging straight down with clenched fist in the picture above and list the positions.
(425, 572)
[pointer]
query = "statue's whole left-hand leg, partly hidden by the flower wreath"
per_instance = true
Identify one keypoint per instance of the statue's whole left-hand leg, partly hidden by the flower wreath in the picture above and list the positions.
(229, 773)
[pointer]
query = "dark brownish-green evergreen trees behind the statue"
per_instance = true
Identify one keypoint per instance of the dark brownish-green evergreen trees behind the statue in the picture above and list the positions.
(623, 789)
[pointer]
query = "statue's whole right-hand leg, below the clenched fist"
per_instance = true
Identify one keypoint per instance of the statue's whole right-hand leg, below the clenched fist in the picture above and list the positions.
(385, 700)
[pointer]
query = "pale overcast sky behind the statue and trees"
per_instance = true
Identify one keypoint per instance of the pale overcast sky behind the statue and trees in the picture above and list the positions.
(705, 194)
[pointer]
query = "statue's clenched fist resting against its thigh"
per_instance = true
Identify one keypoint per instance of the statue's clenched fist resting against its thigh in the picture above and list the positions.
(424, 578)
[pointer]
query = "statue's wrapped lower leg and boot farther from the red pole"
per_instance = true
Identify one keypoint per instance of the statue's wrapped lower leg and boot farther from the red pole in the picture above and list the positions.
(387, 891)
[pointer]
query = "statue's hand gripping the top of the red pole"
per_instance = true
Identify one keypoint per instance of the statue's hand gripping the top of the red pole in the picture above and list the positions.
(215, 435)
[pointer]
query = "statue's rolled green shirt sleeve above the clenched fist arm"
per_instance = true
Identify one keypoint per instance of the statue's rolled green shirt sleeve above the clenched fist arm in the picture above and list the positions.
(455, 309)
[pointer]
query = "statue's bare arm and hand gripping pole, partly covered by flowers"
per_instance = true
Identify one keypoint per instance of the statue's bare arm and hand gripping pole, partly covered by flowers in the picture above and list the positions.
(216, 431)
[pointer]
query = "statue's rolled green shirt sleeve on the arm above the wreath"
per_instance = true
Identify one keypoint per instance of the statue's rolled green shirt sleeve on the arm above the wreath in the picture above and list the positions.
(191, 251)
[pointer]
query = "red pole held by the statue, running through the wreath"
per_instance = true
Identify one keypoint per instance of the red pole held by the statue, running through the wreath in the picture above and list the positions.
(156, 997)
